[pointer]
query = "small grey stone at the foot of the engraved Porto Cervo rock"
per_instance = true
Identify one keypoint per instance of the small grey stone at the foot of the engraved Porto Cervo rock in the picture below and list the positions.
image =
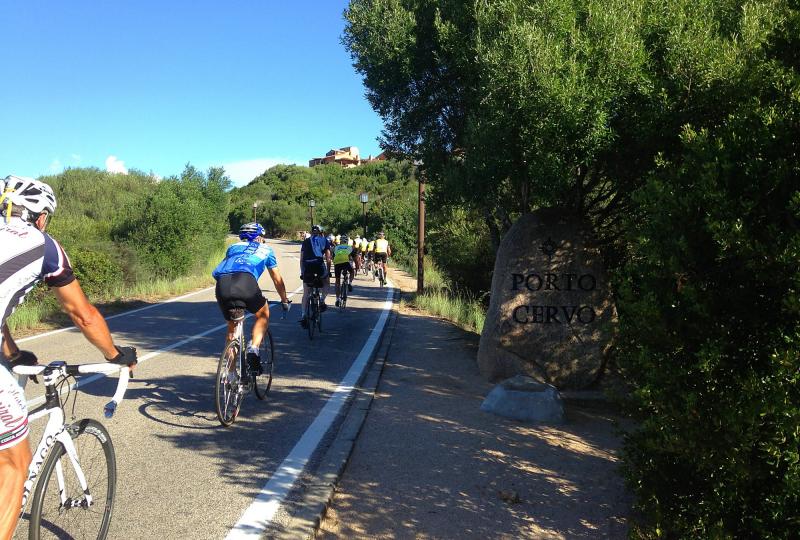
(523, 398)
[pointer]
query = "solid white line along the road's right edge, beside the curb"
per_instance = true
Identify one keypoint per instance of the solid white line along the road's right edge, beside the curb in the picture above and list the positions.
(263, 509)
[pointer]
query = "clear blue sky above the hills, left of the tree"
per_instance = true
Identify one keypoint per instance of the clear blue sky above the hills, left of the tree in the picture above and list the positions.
(154, 85)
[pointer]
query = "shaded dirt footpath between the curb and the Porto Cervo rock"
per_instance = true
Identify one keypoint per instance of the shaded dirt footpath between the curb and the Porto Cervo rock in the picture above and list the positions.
(429, 464)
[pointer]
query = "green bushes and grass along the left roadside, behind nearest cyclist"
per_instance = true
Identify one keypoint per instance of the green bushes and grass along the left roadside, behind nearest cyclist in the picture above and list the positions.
(133, 237)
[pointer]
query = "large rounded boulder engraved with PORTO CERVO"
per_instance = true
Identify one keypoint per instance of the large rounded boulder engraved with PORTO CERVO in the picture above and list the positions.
(551, 314)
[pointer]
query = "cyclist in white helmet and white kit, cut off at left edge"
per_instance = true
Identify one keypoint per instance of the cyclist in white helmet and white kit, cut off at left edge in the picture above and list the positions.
(30, 256)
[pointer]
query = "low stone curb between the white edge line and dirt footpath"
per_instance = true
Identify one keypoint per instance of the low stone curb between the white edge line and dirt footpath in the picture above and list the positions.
(319, 491)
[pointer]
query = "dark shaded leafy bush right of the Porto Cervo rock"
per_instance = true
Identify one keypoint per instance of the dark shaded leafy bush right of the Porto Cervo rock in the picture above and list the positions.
(710, 332)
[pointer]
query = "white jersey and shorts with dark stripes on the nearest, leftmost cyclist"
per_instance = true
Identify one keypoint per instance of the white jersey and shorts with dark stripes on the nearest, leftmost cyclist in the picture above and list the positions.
(29, 256)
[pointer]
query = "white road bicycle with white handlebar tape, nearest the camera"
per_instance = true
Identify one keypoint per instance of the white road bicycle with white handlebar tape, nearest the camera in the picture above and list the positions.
(81, 502)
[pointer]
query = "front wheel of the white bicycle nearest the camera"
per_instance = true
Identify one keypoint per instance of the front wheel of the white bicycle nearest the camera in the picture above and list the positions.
(66, 511)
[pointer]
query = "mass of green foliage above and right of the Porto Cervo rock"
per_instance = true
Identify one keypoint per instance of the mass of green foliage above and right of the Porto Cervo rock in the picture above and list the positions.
(672, 126)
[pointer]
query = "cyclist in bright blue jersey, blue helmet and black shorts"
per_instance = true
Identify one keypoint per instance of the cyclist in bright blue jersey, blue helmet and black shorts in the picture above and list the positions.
(237, 286)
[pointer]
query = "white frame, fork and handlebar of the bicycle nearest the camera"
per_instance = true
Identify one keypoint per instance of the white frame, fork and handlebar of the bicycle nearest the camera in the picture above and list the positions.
(56, 428)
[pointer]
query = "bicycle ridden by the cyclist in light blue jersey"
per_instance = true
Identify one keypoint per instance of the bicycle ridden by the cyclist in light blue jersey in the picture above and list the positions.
(229, 390)
